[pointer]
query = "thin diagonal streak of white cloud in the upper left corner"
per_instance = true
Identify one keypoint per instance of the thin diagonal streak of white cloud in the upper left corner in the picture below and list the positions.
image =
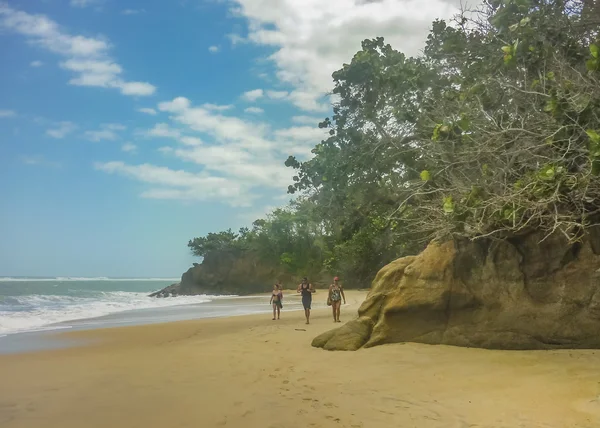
(86, 57)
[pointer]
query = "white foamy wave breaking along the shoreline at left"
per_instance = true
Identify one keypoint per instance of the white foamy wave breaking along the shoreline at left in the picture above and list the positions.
(32, 312)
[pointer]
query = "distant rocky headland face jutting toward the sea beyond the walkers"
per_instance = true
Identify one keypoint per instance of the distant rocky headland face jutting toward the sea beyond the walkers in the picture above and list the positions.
(228, 272)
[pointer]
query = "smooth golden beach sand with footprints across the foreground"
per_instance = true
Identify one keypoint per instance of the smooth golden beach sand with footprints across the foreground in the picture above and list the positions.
(250, 372)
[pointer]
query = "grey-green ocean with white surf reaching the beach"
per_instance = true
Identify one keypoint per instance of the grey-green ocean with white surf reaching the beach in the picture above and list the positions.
(34, 305)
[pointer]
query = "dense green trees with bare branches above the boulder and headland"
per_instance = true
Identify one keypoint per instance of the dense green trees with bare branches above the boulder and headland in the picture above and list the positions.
(493, 131)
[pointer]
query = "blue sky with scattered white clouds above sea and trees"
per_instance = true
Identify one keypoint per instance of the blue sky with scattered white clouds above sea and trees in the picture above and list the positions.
(128, 127)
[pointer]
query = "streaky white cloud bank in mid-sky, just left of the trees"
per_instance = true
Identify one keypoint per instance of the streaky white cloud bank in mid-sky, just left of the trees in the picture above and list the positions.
(244, 155)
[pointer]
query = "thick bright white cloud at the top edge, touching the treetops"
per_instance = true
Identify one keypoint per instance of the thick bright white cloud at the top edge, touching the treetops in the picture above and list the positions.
(311, 39)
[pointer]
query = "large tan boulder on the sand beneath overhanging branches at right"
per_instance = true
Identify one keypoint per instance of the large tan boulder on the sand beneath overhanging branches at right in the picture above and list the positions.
(523, 293)
